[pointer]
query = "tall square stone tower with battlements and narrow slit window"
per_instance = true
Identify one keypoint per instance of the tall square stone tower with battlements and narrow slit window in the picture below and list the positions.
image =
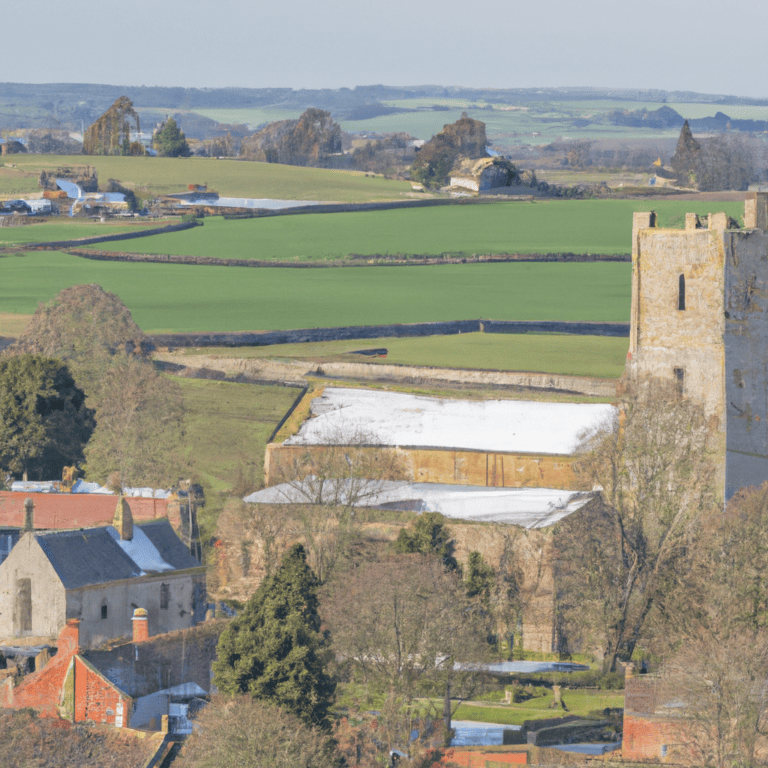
(700, 319)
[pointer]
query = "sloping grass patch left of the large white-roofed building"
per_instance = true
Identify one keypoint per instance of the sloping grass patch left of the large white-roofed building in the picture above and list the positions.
(226, 428)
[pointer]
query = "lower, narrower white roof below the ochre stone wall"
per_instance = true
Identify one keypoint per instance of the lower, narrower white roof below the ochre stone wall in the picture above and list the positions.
(526, 507)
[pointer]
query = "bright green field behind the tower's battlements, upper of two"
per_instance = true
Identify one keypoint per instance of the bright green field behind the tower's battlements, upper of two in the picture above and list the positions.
(578, 226)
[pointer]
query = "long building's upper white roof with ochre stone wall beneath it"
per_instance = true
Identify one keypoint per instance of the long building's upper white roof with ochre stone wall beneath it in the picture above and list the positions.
(500, 443)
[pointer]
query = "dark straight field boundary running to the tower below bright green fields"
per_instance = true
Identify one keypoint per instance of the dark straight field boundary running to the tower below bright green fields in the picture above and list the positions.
(302, 335)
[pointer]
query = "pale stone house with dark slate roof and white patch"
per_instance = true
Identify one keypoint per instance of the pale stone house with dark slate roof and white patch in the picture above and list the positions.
(100, 576)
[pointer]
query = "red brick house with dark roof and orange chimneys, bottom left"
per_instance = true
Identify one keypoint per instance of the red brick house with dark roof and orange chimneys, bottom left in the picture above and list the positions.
(134, 684)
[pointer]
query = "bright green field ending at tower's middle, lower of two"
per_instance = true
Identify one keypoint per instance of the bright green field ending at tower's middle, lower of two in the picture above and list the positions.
(168, 297)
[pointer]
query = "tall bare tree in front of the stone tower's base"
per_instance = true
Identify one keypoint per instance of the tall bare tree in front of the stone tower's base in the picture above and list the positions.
(658, 482)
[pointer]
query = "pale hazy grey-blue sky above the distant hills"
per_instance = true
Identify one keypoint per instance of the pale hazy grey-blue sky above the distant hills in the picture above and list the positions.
(704, 46)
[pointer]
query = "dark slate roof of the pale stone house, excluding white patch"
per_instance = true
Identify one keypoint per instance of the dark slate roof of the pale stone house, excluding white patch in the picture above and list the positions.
(93, 556)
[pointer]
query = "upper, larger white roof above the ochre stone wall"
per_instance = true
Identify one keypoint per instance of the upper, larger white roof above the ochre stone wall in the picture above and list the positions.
(393, 418)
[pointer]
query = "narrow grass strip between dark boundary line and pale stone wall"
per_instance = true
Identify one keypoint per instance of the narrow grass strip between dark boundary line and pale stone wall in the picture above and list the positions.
(601, 356)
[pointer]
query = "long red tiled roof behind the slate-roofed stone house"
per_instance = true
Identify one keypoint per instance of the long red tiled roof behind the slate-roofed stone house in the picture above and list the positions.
(54, 511)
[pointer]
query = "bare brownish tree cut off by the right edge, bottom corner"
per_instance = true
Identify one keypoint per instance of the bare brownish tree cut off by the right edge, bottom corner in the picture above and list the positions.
(718, 663)
